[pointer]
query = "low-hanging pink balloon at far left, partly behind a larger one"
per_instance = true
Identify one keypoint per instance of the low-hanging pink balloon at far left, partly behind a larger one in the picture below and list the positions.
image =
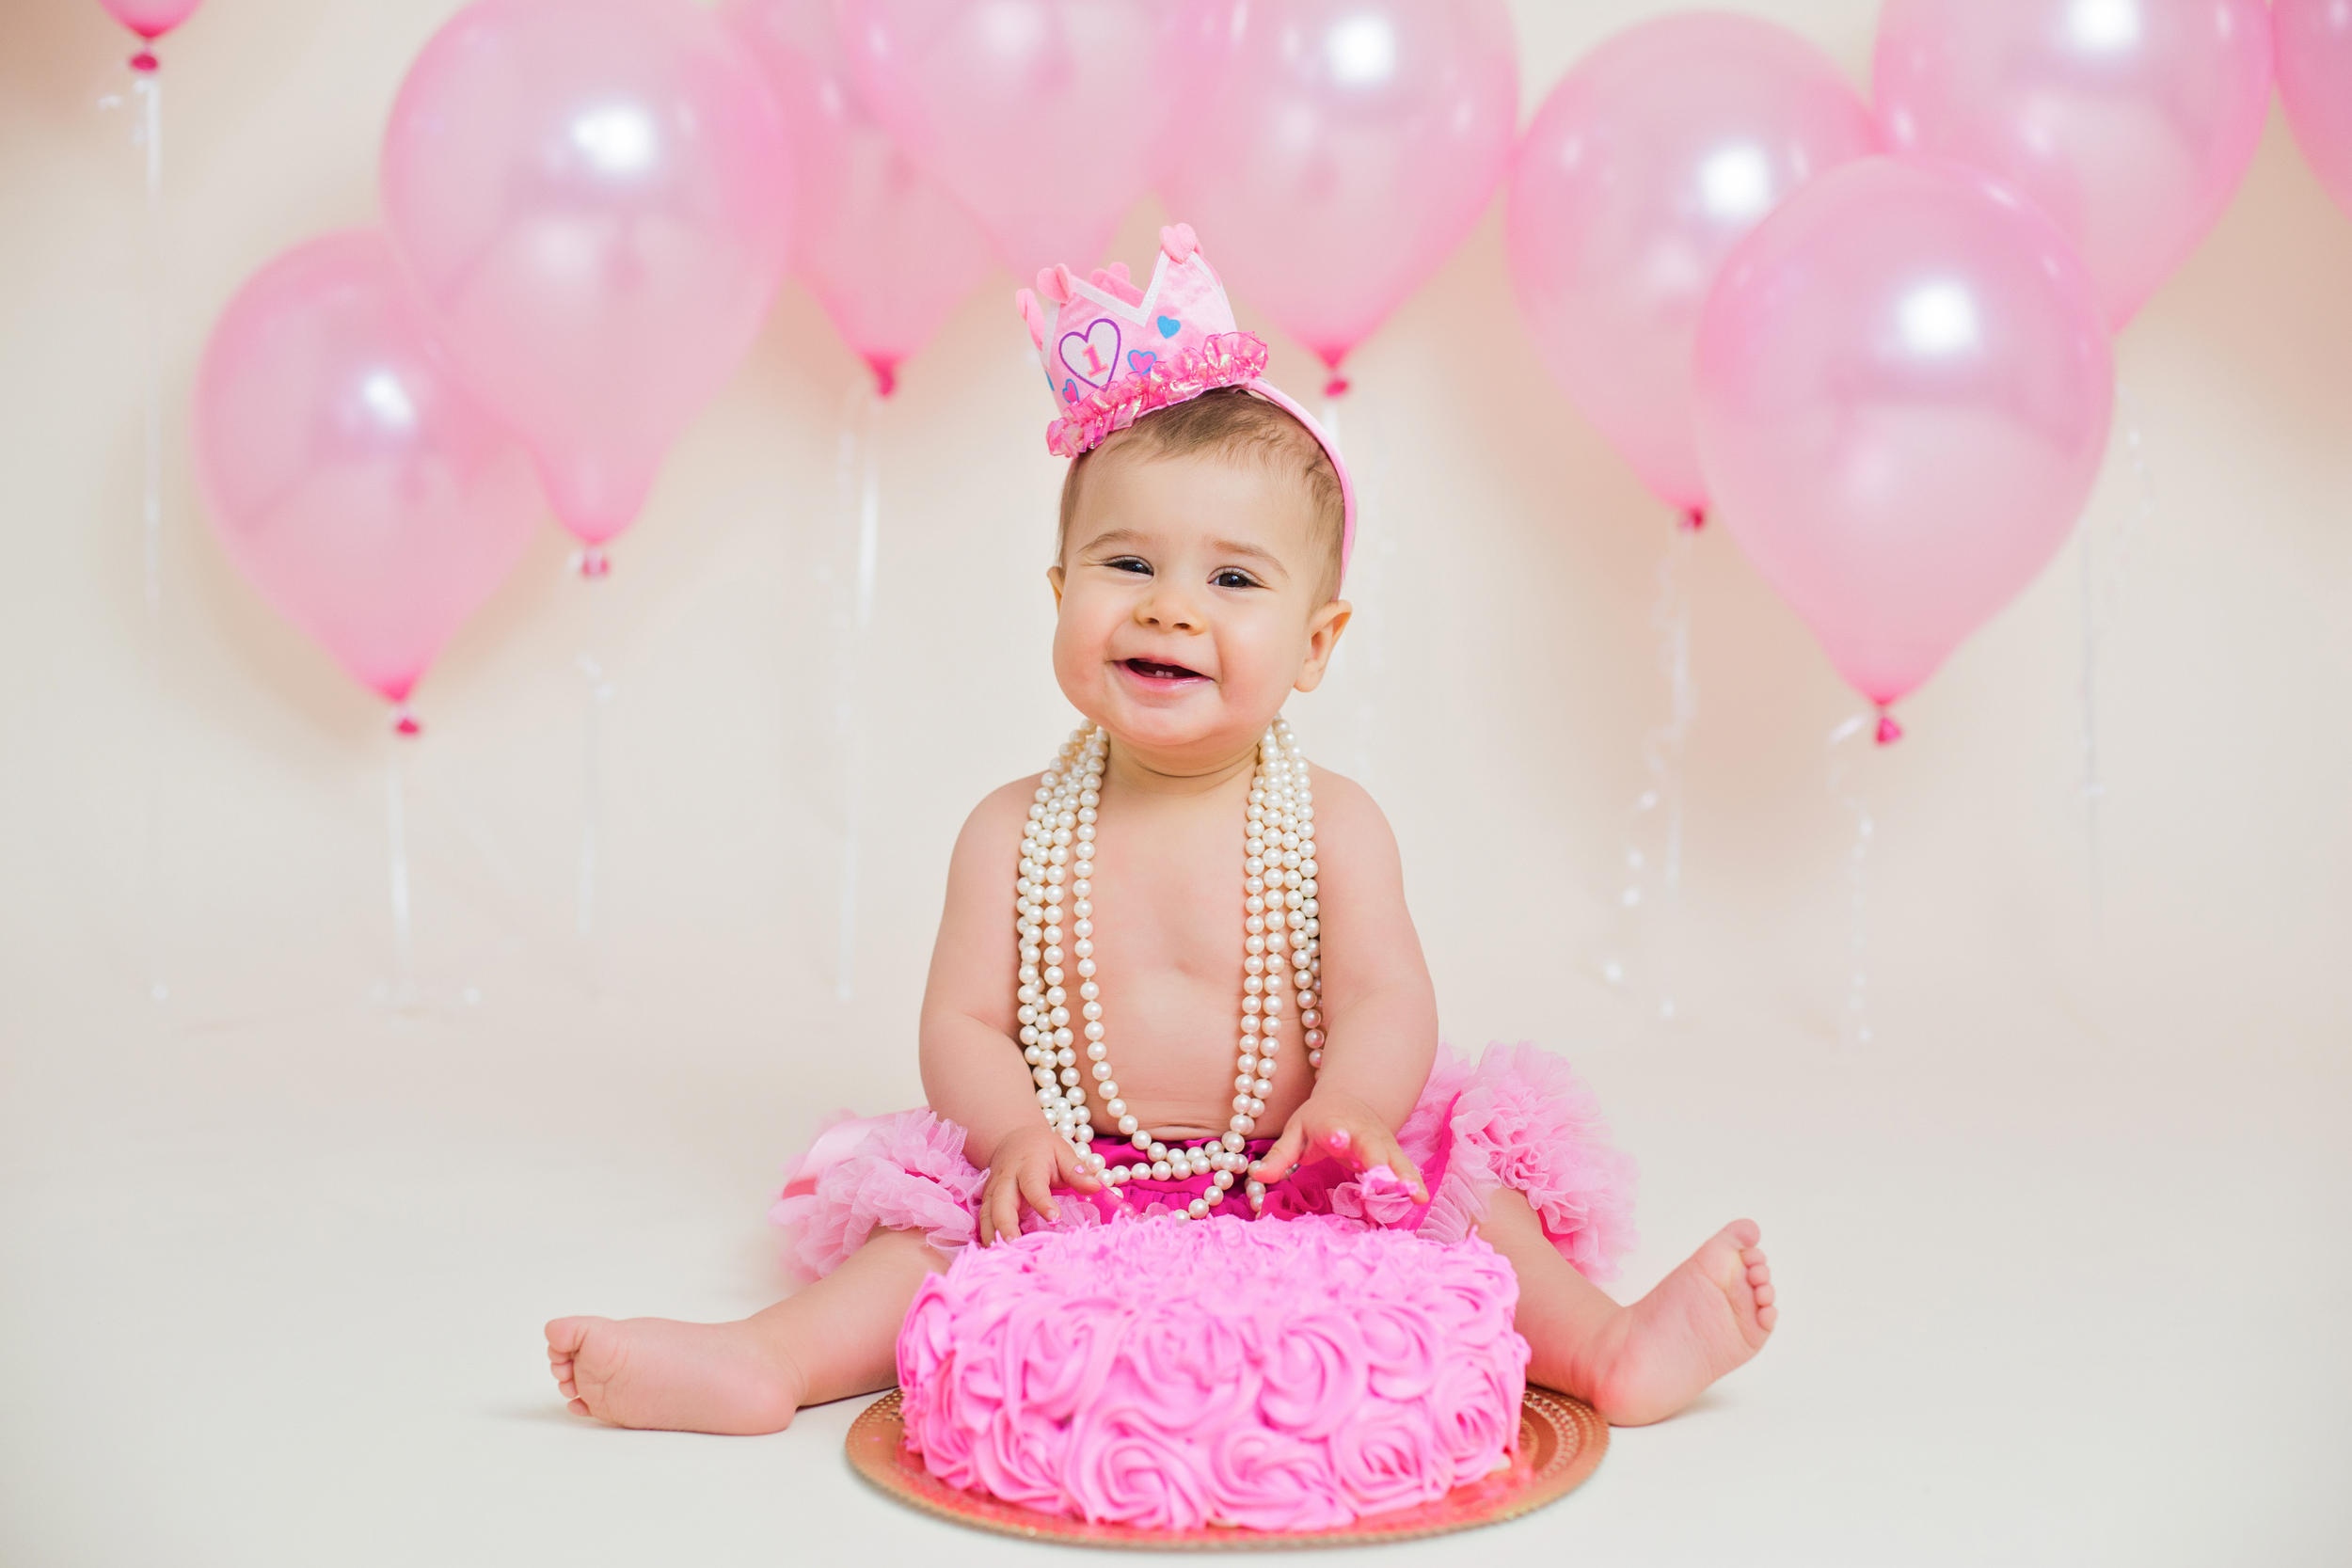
(349, 476)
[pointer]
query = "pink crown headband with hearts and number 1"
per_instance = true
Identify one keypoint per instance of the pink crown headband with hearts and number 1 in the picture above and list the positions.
(1116, 354)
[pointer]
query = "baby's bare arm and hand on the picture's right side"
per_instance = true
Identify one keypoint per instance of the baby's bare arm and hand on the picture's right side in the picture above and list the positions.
(1377, 998)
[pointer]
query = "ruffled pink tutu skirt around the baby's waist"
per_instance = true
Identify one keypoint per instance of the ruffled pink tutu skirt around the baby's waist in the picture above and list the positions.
(1518, 1120)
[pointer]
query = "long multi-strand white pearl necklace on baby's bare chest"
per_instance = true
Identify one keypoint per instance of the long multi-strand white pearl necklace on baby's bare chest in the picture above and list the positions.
(1281, 944)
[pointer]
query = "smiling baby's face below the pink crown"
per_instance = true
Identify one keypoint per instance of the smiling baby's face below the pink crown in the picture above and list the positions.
(1191, 603)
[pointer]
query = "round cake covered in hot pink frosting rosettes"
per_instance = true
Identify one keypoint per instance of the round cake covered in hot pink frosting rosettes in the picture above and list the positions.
(1182, 1374)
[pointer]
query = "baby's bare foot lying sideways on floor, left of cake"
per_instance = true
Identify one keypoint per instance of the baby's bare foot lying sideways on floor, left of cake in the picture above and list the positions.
(653, 1372)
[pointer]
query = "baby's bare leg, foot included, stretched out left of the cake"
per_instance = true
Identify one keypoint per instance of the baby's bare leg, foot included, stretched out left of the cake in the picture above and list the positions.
(834, 1339)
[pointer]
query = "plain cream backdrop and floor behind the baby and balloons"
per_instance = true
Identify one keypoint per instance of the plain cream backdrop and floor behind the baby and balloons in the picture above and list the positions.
(2062, 1245)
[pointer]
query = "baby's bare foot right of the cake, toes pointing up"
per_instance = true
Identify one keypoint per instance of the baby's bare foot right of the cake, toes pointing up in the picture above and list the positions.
(1704, 1320)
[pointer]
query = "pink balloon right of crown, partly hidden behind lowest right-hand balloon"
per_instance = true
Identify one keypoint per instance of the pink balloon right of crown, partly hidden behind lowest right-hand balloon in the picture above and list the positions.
(1650, 161)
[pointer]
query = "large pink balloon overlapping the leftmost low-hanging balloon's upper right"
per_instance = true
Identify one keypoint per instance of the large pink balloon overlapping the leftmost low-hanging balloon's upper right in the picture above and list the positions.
(587, 196)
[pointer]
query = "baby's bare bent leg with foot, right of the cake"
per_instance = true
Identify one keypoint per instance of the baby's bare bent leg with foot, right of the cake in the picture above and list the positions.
(1643, 1362)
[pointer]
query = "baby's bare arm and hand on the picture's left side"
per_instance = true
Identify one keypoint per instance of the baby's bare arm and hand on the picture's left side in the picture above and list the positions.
(973, 1068)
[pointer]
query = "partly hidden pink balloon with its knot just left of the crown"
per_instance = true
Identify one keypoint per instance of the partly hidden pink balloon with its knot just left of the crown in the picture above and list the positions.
(886, 248)
